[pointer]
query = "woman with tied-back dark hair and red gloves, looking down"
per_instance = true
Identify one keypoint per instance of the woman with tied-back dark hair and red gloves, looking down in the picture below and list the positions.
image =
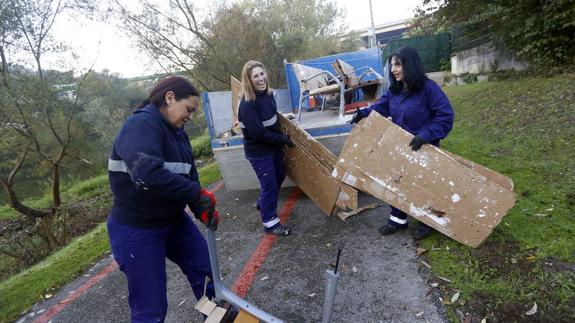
(153, 178)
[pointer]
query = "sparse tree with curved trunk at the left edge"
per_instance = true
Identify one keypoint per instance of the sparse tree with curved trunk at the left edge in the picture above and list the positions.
(38, 107)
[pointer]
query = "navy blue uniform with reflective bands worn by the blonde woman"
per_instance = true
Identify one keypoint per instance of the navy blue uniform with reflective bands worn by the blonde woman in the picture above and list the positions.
(263, 149)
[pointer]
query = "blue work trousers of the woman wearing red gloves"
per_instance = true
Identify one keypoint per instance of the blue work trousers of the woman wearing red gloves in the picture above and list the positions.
(141, 254)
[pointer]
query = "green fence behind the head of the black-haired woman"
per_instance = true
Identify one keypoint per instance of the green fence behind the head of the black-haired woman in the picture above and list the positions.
(434, 50)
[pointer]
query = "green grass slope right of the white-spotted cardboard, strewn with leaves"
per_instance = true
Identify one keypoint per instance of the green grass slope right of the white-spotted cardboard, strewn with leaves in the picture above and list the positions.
(524, 129)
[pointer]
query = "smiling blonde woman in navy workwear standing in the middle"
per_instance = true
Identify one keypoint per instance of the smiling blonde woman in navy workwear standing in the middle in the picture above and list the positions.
(263, 142)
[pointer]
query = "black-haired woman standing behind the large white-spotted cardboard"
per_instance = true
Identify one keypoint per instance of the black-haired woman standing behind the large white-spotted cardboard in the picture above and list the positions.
(419, 106)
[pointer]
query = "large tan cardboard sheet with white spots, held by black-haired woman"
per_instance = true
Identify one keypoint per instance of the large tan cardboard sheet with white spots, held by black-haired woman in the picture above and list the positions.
(457, 197)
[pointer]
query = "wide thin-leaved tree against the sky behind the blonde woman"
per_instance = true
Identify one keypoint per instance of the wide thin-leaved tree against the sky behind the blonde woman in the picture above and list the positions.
(211, 48)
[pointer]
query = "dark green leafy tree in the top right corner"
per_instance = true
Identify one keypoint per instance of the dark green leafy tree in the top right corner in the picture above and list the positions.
(537, 31)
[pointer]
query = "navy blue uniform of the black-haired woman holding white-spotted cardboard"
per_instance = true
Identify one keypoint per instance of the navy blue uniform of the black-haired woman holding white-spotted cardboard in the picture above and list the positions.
(427, 114)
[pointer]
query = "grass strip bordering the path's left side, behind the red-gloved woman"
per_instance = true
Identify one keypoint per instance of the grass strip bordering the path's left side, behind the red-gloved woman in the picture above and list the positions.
(20, 292)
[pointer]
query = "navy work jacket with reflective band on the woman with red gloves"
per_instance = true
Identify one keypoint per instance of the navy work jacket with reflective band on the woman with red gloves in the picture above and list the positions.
(152, 171)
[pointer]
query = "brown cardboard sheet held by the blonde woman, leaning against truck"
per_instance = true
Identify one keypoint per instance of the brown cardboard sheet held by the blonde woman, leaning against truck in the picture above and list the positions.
(309, 164)
